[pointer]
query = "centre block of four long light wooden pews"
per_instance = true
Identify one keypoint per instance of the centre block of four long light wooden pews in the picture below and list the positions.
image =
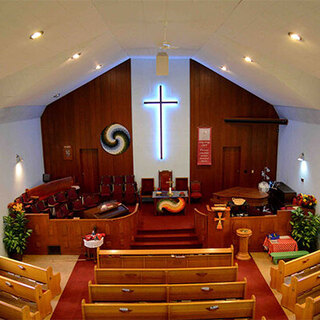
(167, 284)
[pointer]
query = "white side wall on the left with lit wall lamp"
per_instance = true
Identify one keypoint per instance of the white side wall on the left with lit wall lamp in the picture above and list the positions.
(23, 138)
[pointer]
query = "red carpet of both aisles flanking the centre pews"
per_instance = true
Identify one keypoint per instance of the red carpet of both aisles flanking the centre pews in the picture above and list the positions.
(69, 305)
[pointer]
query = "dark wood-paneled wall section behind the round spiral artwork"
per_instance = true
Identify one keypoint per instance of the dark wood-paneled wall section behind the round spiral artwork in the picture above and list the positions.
(78, 119)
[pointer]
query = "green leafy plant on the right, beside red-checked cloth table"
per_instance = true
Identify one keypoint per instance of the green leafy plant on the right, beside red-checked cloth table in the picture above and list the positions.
(305, 228)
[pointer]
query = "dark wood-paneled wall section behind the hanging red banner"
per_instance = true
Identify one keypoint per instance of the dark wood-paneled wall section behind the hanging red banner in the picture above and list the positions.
(238, 150)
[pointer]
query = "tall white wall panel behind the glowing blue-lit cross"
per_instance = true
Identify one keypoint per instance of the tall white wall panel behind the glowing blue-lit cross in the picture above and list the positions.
(145, 119)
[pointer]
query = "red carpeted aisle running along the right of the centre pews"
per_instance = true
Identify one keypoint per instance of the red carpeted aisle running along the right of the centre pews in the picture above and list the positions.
(267, 305)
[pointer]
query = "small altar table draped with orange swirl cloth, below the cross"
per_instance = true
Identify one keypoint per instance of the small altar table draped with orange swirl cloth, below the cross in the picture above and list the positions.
(163, 202)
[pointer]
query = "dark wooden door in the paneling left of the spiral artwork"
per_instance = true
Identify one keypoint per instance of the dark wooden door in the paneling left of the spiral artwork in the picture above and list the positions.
(89, 170)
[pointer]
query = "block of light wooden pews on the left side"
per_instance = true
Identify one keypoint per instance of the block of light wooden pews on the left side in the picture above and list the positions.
(26, 291)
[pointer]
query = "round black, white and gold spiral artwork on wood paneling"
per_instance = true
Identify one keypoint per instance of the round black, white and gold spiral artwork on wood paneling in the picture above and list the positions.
(115, 139)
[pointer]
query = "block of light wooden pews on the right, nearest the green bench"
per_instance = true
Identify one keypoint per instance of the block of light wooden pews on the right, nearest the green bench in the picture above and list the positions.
(299, 283)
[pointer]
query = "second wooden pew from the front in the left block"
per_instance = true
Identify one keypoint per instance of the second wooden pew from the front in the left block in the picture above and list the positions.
(19, 294)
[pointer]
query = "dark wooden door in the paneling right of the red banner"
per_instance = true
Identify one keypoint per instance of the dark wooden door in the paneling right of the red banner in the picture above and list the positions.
(231, 167)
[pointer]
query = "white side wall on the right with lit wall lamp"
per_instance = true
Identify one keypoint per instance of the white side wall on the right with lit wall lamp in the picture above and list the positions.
(295, 138)
